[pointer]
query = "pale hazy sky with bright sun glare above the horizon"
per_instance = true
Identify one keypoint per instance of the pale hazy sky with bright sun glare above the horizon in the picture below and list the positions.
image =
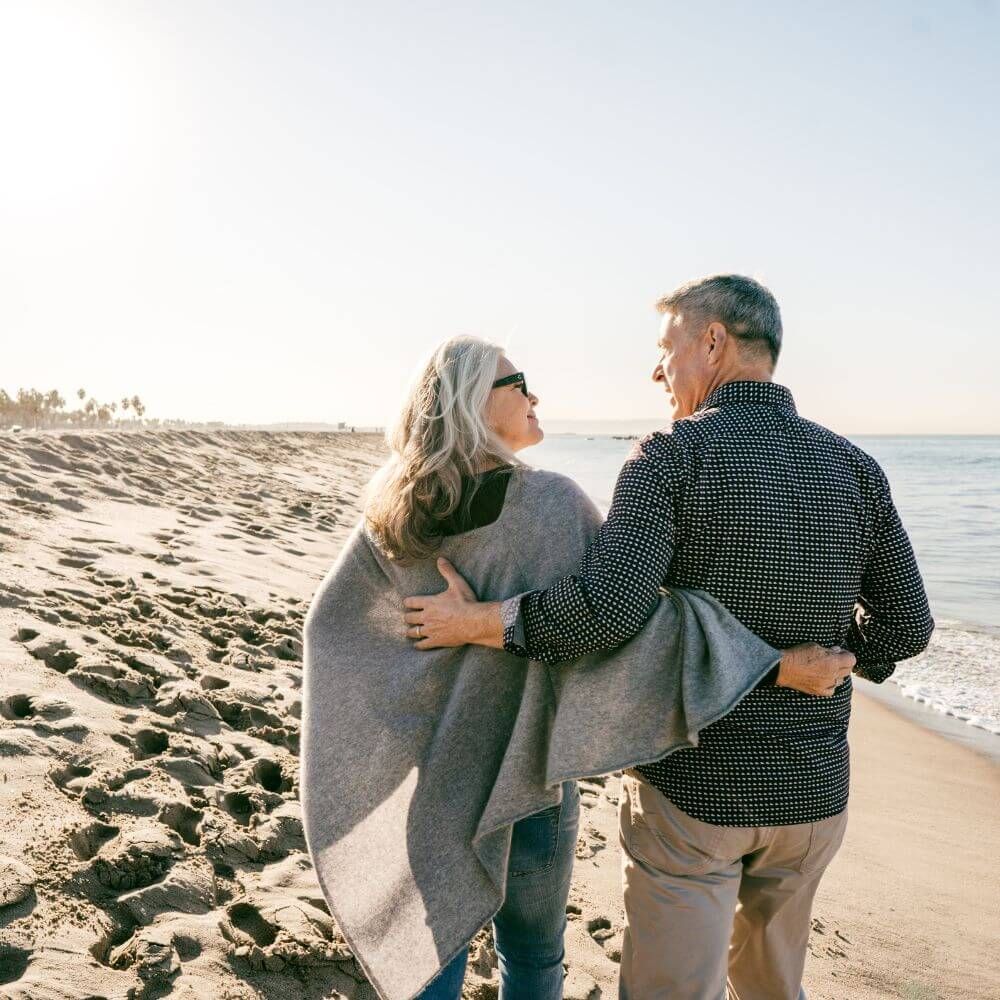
(271, 211)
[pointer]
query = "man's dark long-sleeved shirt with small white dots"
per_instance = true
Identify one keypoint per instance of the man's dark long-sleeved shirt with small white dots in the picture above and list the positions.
(794, 530)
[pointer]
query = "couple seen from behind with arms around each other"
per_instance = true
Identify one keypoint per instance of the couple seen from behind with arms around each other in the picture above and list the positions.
(701, 638)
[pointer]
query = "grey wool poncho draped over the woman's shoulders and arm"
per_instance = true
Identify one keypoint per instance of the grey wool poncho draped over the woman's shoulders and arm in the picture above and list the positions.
(415, 764)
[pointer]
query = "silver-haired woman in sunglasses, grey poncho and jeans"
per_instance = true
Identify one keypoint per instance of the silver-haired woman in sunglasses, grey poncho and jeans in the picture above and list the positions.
(423, 772)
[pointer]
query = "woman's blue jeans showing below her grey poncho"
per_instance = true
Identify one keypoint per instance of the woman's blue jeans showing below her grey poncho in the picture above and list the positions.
(528, 929)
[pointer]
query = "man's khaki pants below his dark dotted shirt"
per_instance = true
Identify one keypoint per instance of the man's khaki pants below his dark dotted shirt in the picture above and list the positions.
(707, 903)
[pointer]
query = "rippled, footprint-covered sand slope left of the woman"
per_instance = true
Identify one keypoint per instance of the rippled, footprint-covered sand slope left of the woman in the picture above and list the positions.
(150, 618)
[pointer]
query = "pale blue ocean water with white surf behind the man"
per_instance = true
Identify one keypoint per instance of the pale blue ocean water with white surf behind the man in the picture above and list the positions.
(947, 491)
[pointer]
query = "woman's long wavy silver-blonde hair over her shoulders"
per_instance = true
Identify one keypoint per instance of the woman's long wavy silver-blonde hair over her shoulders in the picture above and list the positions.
(440, 436)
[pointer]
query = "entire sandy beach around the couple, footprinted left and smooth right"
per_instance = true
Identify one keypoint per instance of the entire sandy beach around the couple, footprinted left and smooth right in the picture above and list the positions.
(154, 586)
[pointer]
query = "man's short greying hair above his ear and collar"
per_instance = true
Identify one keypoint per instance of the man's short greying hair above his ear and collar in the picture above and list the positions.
(744, 306)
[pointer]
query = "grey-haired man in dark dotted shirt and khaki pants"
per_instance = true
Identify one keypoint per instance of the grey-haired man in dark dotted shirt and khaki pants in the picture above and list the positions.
(793, 528)
